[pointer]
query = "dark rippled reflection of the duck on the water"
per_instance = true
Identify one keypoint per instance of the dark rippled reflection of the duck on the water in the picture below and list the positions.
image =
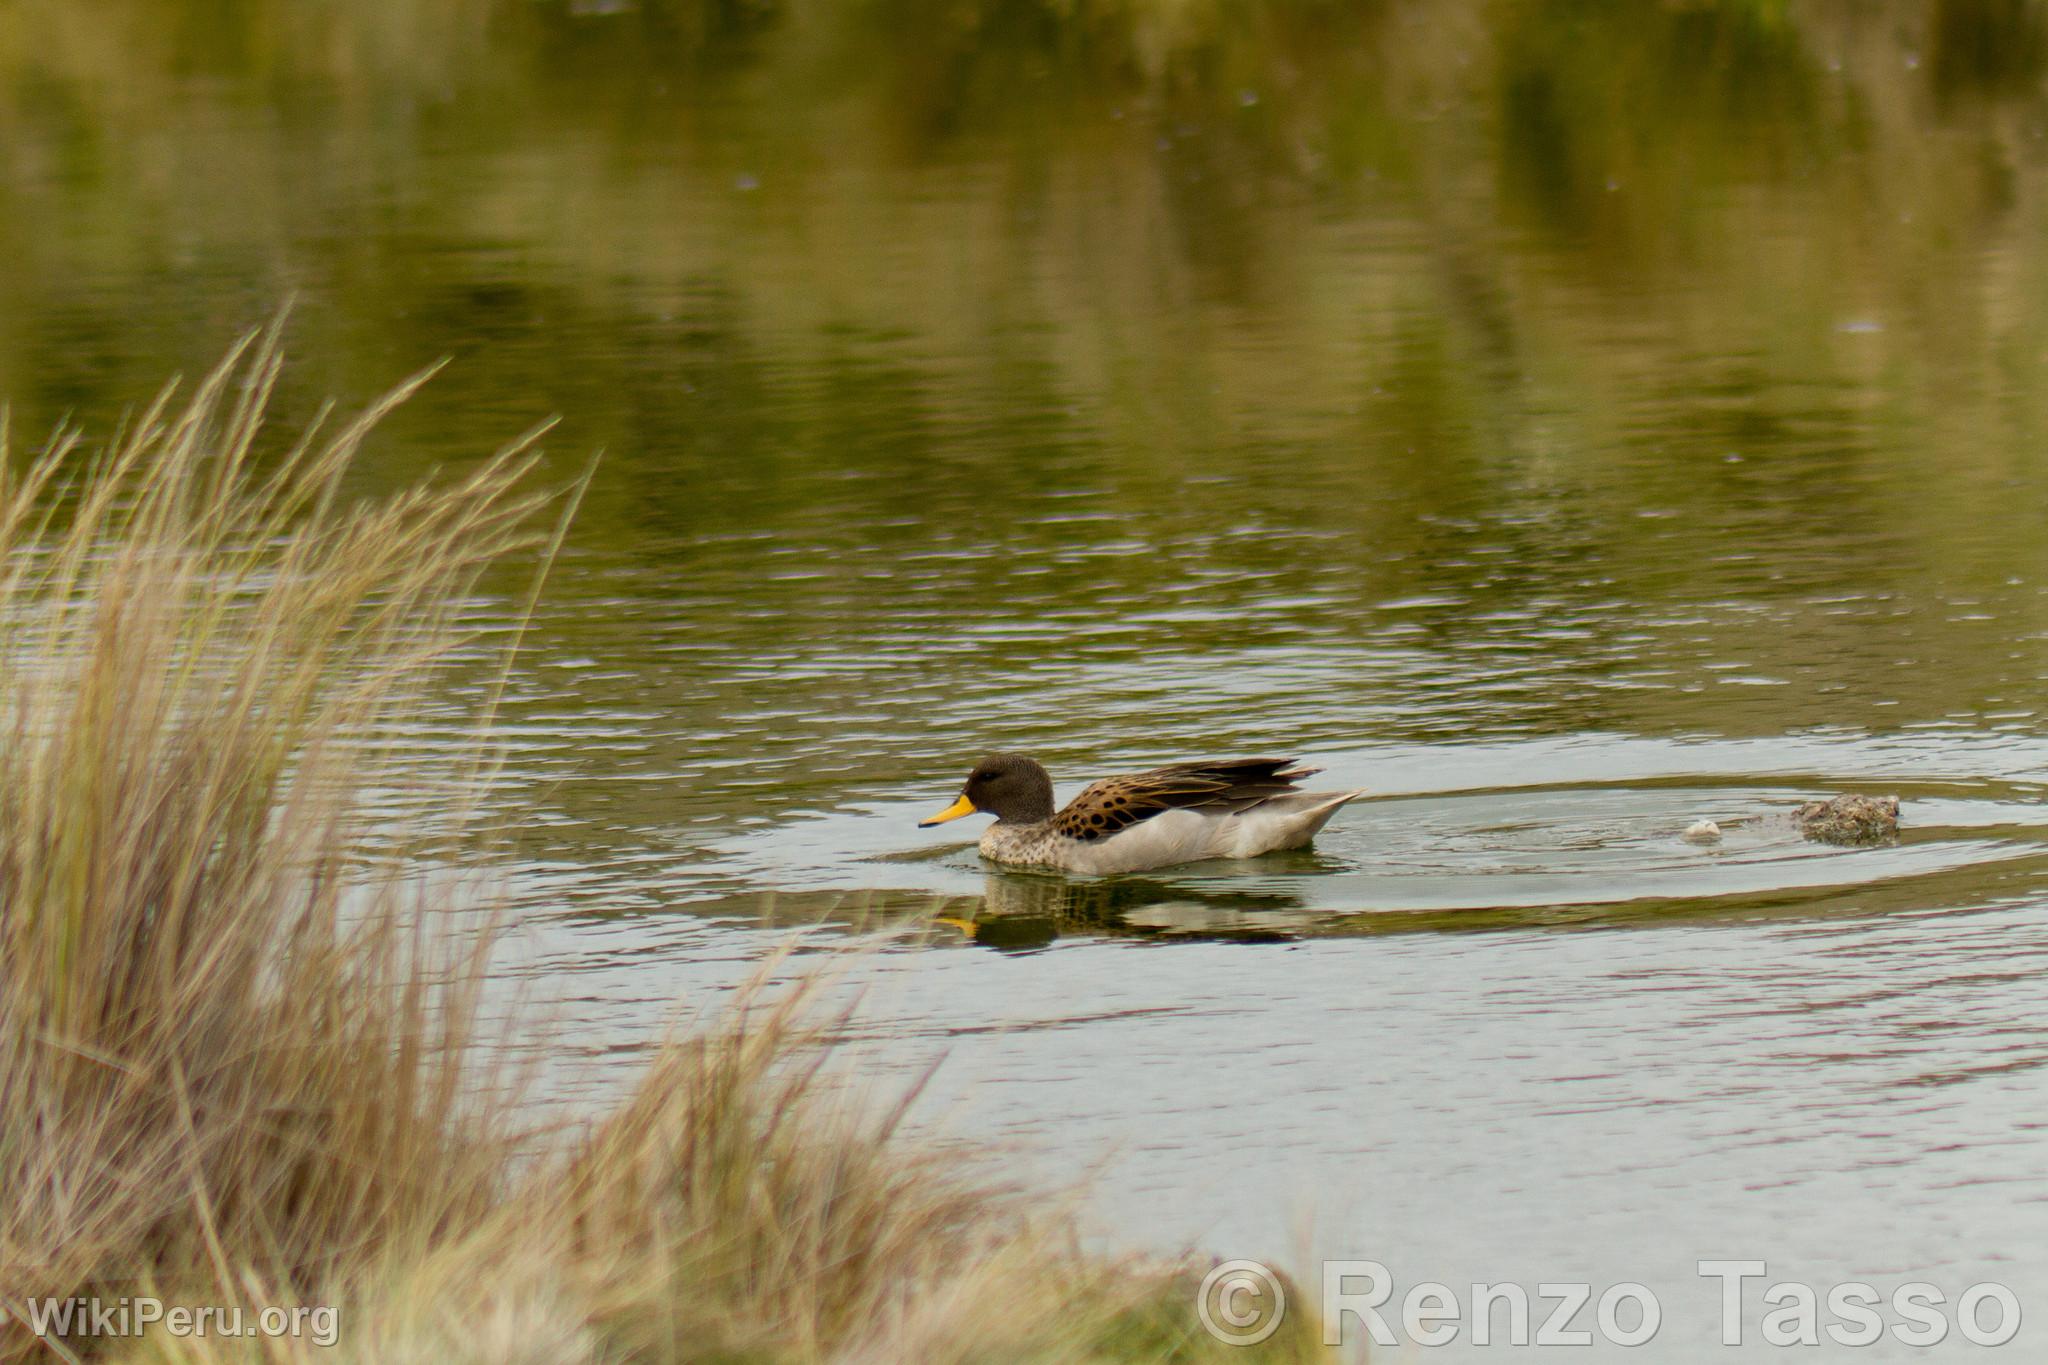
(1027, 912)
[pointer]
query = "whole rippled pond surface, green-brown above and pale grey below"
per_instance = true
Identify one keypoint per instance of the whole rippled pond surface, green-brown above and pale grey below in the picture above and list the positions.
(1566, 421)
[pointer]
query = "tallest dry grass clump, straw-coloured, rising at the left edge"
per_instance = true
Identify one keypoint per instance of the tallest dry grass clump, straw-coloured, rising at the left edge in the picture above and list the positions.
(226, 1059)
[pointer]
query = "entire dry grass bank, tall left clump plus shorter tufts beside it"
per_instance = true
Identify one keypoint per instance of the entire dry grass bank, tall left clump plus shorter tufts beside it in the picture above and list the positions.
(245, 1065)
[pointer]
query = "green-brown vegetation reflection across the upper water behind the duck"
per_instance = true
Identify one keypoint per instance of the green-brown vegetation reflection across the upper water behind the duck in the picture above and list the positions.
(1125, 331)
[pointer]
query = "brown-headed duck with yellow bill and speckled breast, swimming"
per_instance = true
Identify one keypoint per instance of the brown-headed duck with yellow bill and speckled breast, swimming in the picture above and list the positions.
(1142, 822)
